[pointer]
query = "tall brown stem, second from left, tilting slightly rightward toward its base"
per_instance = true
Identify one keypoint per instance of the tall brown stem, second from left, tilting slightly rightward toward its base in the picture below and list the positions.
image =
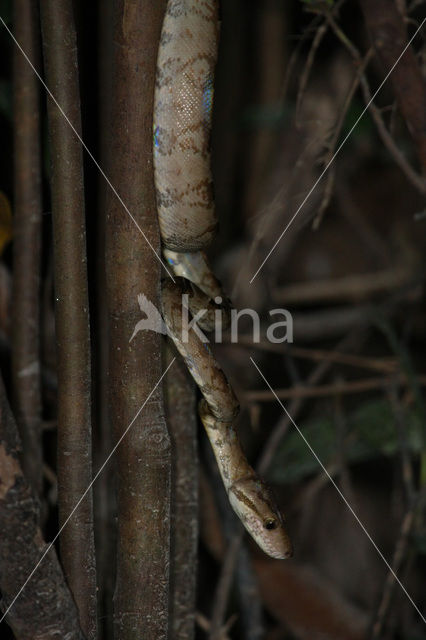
(71, 309)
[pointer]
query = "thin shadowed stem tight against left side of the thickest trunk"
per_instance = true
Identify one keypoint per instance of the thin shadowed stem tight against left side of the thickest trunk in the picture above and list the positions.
(105, 508)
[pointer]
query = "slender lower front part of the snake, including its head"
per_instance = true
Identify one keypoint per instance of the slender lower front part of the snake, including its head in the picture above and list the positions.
(248, 495)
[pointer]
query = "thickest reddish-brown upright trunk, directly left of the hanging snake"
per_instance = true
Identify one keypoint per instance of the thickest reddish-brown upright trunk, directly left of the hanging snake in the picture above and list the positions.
(143, 457)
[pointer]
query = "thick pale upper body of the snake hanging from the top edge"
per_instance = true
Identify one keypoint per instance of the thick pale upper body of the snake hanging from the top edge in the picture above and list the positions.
(182, 124)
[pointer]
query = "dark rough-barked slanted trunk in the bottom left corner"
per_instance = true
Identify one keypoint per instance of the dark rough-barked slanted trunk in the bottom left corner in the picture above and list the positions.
(45, 609)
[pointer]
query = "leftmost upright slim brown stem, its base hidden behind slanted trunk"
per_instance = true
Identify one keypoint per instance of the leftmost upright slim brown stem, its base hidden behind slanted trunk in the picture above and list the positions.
(27, 240)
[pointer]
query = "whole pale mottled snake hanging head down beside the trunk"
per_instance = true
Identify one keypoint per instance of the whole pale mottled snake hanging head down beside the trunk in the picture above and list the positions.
(187, 219)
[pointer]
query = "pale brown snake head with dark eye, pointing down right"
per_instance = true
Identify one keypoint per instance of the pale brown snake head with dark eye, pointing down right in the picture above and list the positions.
(254, 505)
